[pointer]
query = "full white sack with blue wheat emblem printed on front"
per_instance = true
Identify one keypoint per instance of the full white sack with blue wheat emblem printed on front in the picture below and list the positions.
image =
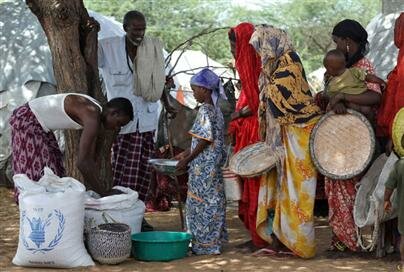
(51, 222)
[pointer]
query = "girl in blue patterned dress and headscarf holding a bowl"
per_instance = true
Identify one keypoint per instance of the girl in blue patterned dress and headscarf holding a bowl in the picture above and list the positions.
(205, 205)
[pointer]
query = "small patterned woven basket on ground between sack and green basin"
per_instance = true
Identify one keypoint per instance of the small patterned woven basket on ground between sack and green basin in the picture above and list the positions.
(109, 243)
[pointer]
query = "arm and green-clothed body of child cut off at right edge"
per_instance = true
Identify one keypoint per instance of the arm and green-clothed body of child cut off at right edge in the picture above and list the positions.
(396, 181)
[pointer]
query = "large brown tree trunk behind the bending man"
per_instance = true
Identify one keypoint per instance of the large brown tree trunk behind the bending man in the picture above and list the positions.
(75, 68)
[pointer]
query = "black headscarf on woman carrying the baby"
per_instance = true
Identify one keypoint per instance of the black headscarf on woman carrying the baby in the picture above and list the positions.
(352, 29)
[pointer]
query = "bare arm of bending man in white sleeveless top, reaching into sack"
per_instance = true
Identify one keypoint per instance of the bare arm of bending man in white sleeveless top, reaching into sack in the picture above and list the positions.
(88, 115)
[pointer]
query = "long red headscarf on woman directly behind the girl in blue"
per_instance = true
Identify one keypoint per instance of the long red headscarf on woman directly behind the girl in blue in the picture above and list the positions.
(248, 66)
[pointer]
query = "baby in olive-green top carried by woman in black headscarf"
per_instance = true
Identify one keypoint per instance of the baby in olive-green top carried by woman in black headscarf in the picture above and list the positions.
(340, 80)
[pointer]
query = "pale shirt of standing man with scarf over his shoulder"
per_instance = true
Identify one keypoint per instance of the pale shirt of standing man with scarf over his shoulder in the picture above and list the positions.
(114, 64)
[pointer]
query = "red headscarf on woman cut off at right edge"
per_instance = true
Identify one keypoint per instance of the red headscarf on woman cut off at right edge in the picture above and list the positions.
(393, 97)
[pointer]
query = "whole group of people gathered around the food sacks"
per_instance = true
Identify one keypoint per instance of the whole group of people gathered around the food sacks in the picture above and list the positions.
(275, 105)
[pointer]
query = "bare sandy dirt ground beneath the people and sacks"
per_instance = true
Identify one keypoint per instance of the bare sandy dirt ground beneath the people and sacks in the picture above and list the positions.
(231, 259)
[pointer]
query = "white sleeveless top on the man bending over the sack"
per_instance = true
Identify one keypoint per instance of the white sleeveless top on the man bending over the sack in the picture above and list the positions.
(50, 112)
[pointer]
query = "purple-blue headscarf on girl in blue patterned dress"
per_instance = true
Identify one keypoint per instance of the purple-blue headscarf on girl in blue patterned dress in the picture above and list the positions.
(209, 80)
